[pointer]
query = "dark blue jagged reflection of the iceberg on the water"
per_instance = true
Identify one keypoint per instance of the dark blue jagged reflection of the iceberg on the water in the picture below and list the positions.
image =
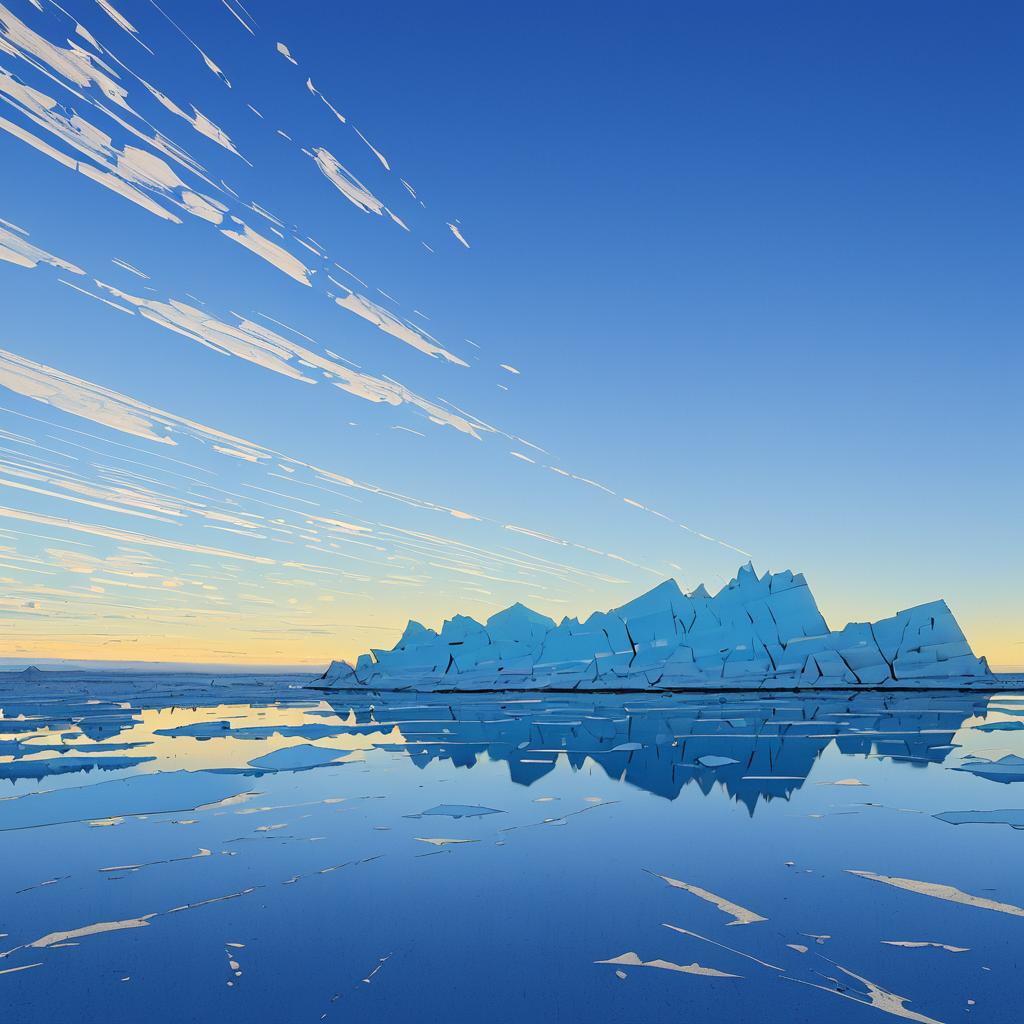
(754, 749)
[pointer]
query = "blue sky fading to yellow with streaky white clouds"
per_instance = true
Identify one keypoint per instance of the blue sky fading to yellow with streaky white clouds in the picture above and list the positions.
(317, 319)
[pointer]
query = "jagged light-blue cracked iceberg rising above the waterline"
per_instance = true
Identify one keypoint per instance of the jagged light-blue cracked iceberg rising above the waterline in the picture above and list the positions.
(755, 632)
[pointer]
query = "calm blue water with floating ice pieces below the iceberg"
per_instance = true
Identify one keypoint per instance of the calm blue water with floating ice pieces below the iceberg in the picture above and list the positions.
(261, 857)
